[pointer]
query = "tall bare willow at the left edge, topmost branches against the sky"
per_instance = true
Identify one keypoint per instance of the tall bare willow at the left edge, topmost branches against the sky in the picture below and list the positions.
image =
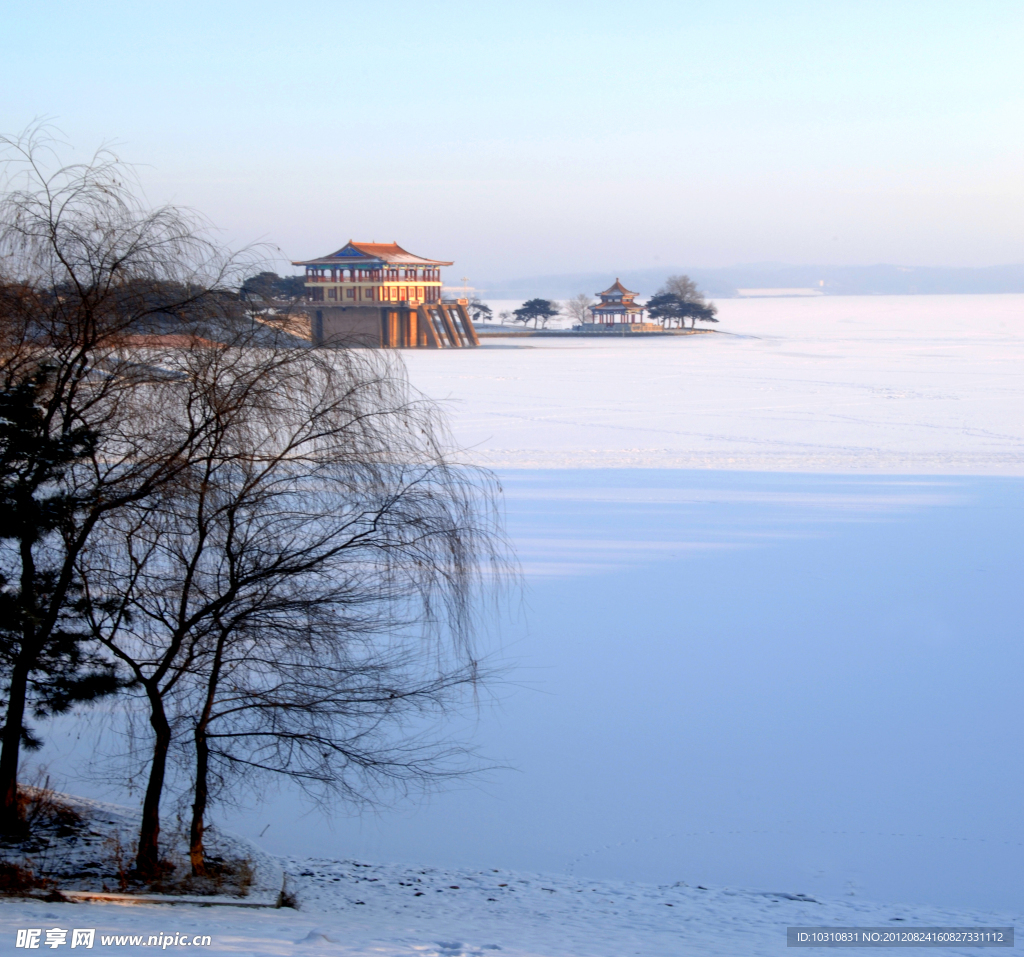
(84, 267)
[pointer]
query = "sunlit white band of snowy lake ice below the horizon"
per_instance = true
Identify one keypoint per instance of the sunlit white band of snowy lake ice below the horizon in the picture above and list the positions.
(929, 384)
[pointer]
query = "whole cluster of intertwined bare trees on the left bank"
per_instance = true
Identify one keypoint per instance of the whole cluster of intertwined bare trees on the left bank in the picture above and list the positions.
(264, 550)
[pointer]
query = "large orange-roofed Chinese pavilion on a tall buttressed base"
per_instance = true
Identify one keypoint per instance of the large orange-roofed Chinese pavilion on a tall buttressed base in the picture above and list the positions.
(377, 294)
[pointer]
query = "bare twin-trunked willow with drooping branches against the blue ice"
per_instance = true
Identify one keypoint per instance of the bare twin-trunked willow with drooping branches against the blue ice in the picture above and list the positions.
(306, 589)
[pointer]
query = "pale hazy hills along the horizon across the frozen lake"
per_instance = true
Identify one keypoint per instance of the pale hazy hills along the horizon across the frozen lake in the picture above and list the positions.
(727, 282)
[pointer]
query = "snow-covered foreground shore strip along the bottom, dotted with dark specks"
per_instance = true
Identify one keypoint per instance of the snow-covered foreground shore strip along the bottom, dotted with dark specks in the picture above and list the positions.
(351, 908)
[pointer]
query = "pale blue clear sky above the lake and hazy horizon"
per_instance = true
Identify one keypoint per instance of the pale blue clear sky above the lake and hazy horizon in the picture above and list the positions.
(533, 139)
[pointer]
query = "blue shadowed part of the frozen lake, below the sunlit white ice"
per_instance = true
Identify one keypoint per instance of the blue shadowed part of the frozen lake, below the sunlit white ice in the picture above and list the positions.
(805, 684)
